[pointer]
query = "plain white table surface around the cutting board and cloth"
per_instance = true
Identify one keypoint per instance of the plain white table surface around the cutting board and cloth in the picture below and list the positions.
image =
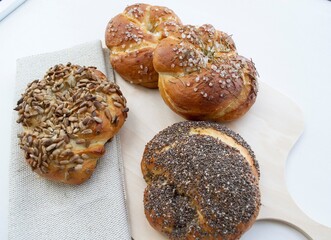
(289, 41)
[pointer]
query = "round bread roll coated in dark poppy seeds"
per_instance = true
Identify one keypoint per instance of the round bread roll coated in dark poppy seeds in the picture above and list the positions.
(202, 182)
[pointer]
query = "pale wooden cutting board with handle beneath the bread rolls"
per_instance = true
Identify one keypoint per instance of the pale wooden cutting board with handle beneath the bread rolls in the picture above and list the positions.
(271, 127)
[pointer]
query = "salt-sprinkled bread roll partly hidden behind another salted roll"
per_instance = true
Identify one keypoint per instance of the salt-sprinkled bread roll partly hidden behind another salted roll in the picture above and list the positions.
(132, 37)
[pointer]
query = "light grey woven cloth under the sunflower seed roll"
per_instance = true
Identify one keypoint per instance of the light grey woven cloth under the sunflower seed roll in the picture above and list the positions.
(41, 209)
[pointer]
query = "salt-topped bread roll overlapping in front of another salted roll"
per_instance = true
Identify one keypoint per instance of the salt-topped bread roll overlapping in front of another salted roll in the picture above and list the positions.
(201, 76)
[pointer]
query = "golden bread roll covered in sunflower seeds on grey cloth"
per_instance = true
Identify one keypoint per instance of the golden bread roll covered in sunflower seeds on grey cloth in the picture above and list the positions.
(67, 118)
